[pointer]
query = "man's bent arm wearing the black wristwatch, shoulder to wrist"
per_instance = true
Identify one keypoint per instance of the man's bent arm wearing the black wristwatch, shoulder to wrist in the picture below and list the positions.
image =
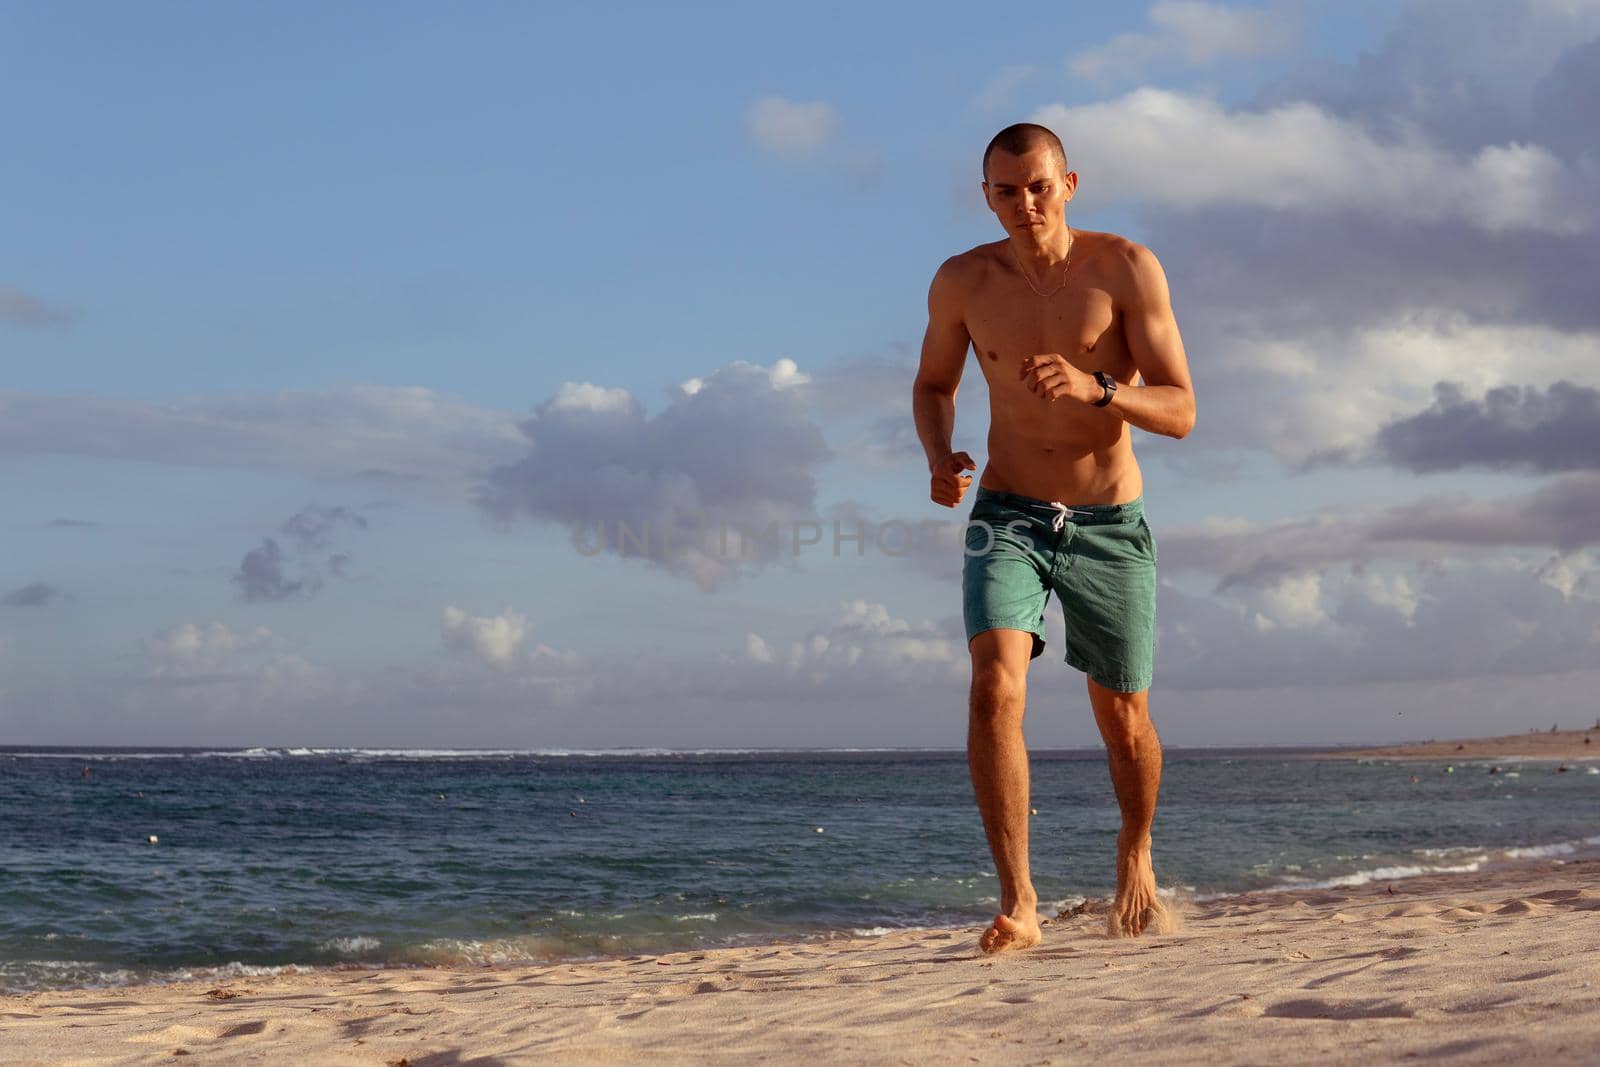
(1166, 404)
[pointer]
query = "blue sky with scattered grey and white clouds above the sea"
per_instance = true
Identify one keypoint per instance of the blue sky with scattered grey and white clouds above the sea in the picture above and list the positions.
(391, 375)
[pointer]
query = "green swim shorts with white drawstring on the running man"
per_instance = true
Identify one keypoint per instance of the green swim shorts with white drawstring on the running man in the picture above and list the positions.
(1100, 559)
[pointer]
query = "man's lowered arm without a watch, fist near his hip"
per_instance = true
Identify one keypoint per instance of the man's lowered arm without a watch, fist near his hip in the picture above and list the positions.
(938, 378)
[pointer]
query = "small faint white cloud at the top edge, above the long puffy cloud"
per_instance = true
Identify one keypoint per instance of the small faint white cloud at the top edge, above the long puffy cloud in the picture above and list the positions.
(1186, 33)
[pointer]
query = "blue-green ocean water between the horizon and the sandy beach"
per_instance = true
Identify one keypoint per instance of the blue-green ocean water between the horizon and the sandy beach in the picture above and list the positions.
(127, 866)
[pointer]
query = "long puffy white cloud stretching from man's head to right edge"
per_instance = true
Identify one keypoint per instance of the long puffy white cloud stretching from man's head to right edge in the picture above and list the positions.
(1188, 153)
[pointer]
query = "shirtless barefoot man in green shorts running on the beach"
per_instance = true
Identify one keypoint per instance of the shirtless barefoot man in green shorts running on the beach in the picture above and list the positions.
(1063, 324)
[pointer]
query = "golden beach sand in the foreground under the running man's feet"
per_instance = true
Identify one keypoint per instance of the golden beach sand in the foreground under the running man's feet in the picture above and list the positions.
(1473, 969)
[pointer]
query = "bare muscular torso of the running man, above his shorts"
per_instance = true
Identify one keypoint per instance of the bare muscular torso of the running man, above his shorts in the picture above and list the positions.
(1054, 452)
